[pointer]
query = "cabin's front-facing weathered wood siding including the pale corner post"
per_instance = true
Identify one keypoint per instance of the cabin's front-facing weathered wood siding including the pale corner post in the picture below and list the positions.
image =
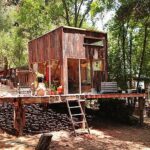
(74, 46)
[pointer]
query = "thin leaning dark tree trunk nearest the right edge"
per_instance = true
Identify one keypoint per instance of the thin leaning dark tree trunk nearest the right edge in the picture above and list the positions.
(143, 54)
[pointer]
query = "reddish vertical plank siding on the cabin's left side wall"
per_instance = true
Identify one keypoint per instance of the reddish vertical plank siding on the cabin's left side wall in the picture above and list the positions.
(46, 47)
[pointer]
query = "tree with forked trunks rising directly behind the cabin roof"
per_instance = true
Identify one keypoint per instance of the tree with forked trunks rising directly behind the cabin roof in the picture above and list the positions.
(70, 12)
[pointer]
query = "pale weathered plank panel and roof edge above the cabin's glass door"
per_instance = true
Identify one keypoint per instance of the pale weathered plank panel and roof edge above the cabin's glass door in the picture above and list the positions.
(73, 42)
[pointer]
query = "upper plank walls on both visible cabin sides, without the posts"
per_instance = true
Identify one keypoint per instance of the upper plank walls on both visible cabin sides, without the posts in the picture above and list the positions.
(71, 42)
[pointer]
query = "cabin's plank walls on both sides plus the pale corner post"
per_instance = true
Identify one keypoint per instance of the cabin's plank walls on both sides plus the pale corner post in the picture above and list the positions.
(67, 42)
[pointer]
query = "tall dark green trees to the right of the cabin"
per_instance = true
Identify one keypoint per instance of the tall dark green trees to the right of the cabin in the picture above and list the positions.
(128, 56)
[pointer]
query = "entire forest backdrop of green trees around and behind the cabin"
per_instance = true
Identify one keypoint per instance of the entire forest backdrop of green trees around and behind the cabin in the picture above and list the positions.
(128, 30)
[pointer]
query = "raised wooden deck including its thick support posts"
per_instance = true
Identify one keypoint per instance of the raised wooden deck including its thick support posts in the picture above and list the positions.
(18, 101)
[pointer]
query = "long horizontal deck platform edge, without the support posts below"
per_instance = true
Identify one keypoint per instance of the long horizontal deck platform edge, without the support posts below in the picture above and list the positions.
(62, 98)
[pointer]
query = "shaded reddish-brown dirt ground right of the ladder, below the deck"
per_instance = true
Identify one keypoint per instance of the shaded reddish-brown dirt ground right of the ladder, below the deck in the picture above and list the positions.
(120, 131)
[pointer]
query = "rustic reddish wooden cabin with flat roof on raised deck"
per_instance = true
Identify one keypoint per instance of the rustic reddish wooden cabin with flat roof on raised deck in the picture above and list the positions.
(72, 57)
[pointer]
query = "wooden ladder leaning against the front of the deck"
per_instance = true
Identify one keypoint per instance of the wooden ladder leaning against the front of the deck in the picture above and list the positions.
(82, 114)
